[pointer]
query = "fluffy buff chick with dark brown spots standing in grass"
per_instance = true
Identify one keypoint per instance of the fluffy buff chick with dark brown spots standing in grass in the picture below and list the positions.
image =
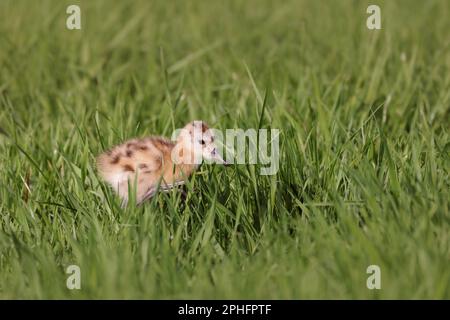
(154, 162)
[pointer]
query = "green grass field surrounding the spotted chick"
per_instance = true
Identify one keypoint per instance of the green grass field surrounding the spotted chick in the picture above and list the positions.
(364, 148)
